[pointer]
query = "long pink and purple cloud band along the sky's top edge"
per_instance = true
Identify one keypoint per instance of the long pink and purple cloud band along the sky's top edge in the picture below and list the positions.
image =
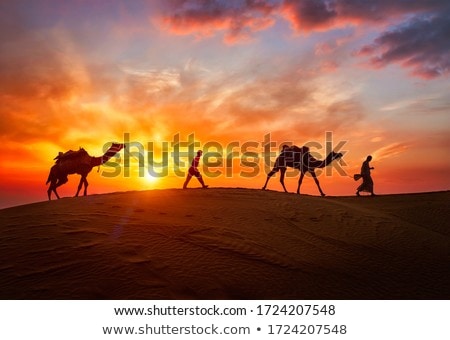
(240, 18)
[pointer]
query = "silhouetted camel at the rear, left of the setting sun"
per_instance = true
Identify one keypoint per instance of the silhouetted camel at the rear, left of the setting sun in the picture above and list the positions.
(76, 162)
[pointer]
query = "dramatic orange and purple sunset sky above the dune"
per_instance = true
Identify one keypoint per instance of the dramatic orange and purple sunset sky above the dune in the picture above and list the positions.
(84, 73)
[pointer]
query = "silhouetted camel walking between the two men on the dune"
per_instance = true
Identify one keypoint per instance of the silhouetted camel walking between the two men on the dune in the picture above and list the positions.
(301, 159)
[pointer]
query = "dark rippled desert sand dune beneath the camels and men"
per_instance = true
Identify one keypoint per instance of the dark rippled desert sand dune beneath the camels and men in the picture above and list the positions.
(227, 243)
